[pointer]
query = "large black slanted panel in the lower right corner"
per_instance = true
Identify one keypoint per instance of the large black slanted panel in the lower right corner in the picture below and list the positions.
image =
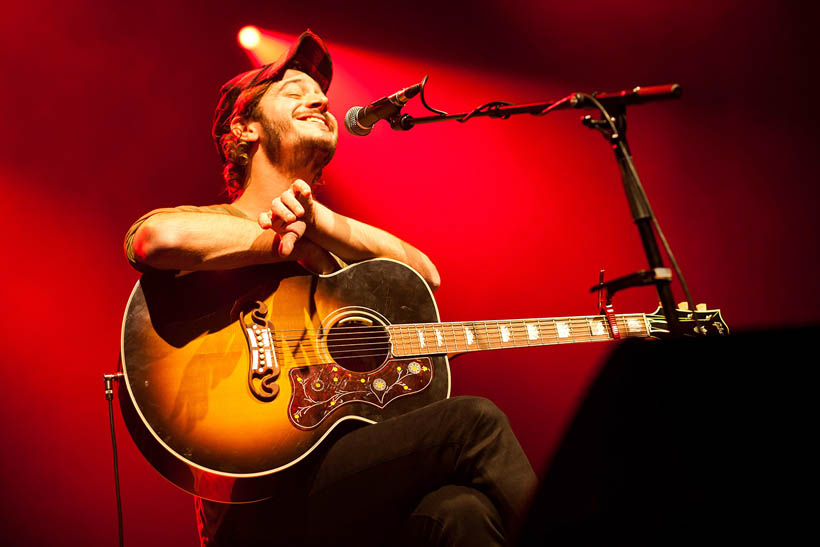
(688, 440)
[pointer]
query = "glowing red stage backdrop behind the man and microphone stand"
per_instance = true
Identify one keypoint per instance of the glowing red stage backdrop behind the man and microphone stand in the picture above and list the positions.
(106, 113)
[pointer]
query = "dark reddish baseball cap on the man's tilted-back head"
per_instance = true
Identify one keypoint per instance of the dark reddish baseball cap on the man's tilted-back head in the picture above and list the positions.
(308, 54)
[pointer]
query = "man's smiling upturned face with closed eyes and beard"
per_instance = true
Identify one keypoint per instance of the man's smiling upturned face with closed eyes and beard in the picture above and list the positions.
(298, 130)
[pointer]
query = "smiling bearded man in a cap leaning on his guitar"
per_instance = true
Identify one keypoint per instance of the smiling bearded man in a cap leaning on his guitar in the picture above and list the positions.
(450, 473)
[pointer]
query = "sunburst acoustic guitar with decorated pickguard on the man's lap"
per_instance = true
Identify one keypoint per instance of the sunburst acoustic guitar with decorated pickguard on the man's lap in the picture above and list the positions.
(231, 377)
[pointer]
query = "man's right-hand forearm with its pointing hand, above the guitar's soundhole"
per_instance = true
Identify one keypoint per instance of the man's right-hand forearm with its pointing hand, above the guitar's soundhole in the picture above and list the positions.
(295, 214)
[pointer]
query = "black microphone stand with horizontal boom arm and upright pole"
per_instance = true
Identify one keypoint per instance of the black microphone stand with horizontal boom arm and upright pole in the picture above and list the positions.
(612, 124)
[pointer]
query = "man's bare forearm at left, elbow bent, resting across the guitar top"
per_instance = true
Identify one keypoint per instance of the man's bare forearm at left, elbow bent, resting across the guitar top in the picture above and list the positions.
(214, 241)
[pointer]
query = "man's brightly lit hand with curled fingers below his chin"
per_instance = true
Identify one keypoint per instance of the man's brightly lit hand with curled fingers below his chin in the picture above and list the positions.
(289, 216)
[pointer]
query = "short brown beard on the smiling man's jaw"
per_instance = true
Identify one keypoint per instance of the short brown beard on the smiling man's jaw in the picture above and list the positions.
(309, 152)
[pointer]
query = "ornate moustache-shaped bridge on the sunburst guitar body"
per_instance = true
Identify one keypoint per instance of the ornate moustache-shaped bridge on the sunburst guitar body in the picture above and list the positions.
(263, 368)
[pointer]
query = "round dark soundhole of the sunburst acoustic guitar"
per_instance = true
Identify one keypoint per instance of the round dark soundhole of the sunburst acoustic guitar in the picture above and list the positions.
(357, 345)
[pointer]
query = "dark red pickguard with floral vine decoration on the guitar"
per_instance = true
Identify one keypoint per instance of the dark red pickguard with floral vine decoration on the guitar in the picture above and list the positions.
(319, 390)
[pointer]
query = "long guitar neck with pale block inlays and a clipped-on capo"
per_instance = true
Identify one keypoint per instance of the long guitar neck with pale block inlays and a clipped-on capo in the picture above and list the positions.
(468, 336)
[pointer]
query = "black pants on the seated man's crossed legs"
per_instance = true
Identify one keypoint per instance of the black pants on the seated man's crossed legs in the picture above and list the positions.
(451, 473)
